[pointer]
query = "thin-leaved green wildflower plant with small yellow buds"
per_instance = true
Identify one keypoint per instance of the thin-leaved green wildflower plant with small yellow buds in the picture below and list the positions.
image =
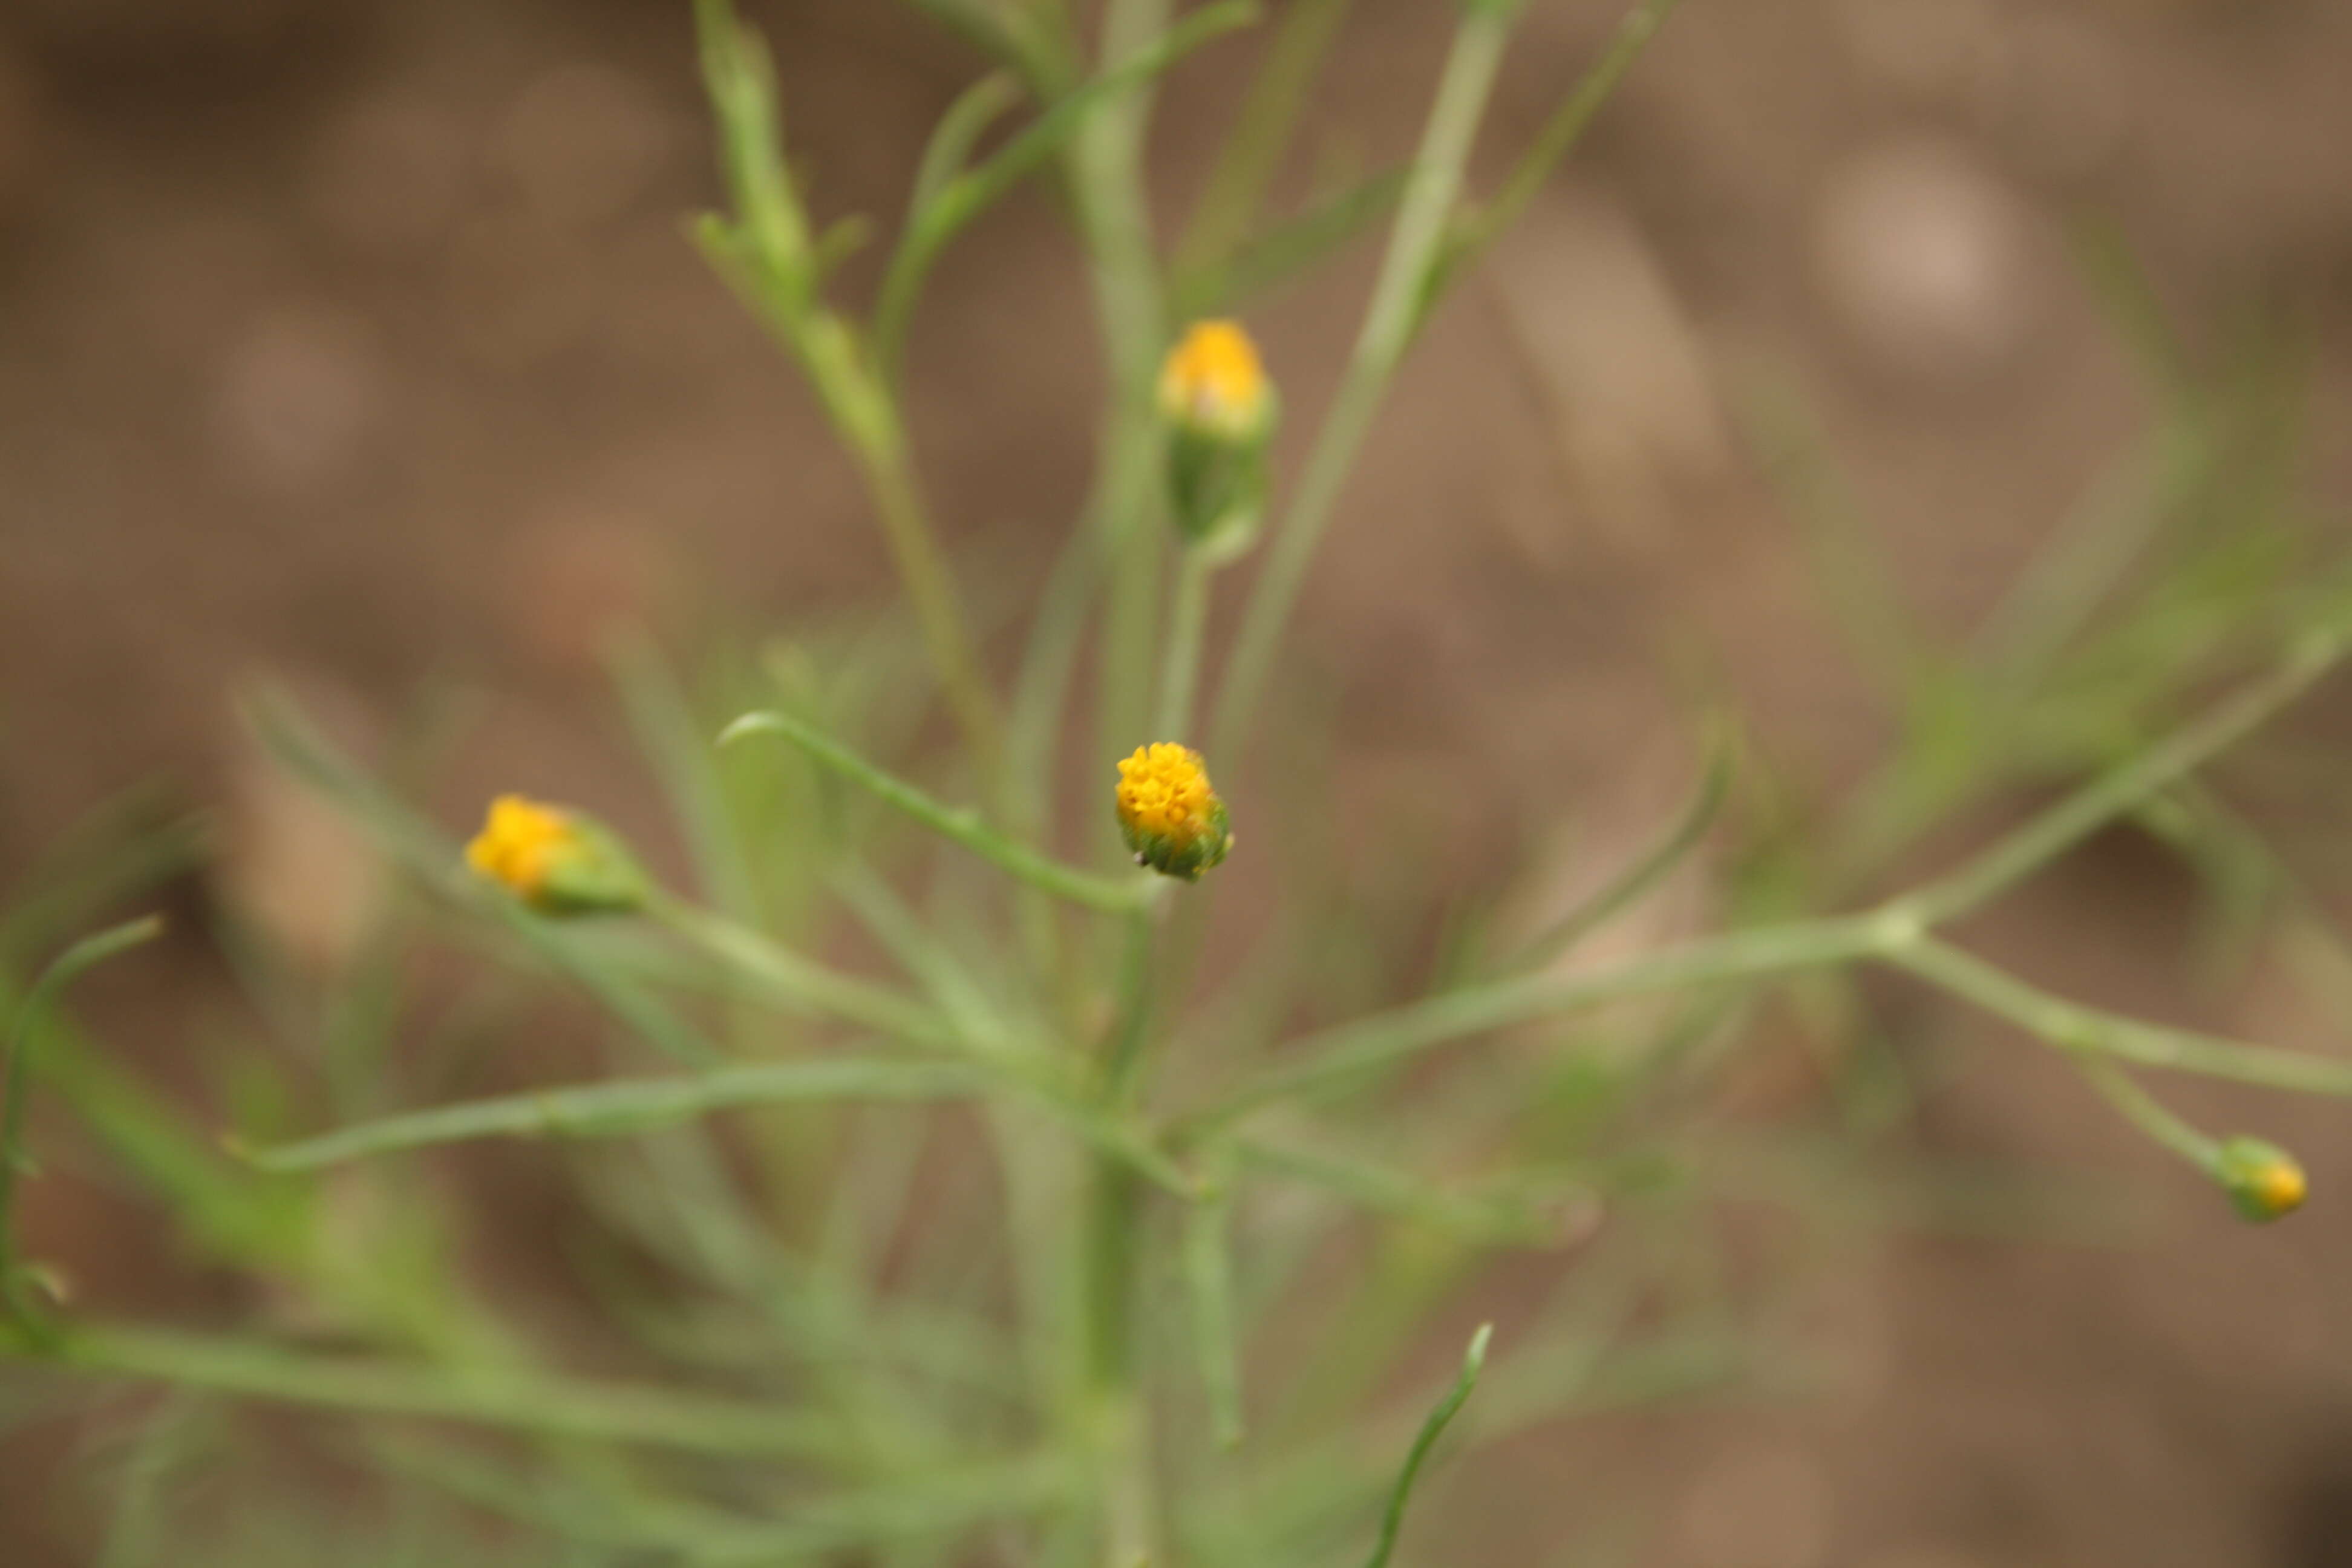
(864, 1351)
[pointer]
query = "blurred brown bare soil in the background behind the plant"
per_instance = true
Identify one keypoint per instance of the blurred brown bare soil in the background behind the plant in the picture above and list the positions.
(359, 342)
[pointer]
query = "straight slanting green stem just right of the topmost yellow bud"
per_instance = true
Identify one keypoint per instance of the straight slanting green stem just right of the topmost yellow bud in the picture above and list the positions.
(1389, 328)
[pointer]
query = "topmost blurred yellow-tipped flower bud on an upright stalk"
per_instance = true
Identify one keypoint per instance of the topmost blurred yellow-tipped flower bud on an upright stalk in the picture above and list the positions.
(1222, 415)
